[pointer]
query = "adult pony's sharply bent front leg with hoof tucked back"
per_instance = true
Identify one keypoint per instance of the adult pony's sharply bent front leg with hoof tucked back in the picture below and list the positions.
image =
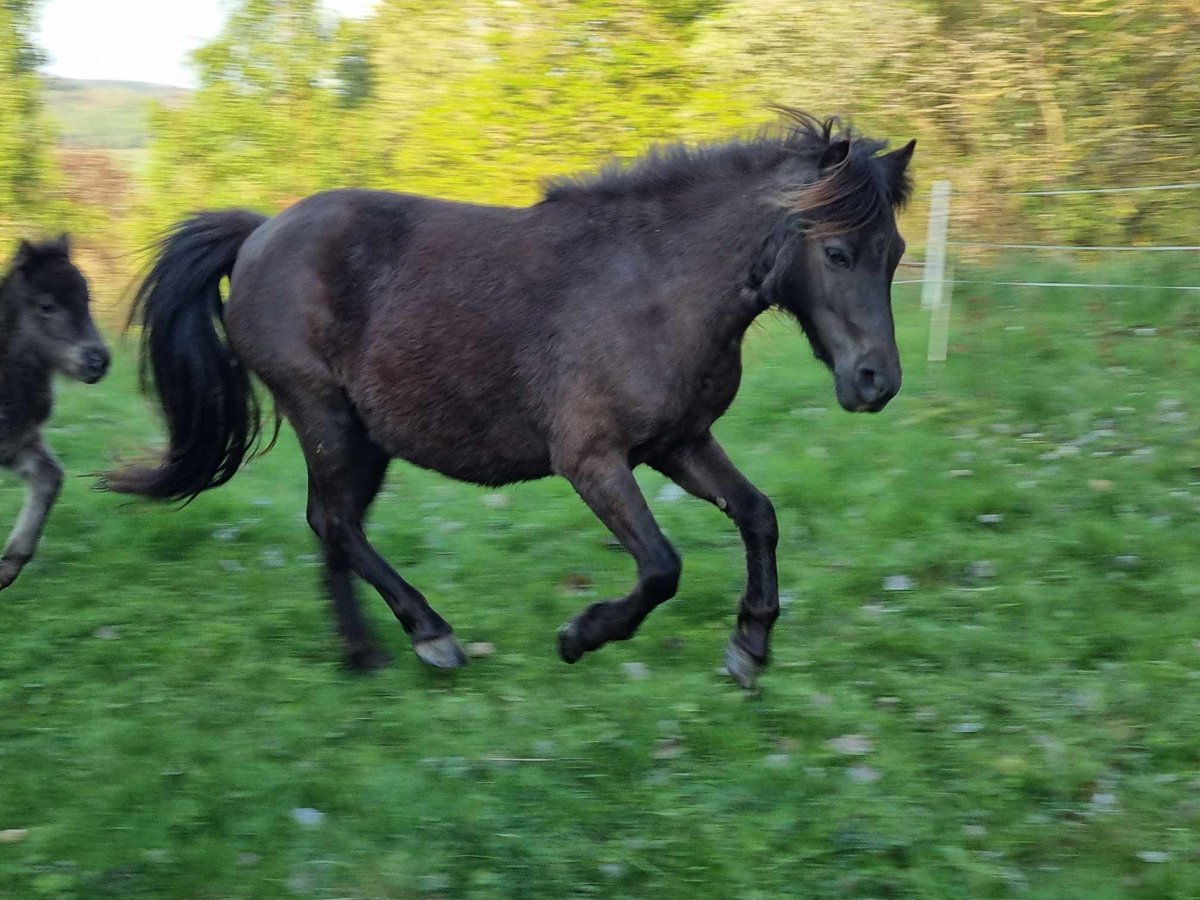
(607, 484)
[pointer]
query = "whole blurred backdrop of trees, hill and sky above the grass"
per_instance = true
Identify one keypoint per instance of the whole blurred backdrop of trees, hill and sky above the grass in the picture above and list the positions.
(267, 101)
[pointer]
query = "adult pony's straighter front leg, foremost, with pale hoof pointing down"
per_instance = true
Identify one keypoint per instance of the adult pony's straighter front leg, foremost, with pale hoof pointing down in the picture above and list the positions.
(705, 471)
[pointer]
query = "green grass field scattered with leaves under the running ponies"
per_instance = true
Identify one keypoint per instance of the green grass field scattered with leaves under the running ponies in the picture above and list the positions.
(1022, 721)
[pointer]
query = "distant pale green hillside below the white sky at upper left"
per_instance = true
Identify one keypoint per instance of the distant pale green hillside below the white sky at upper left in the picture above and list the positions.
(111, 116)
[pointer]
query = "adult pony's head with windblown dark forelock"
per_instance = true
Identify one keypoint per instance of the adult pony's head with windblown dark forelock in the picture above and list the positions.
(836, 254)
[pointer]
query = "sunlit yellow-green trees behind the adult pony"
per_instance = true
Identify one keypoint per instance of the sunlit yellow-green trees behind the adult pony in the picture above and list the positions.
(485, 99)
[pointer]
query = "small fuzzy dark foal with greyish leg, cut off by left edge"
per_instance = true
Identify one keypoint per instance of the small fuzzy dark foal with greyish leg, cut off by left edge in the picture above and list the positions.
(45, 328)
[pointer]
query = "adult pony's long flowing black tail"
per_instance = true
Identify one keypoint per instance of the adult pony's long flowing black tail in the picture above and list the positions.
(213, 416)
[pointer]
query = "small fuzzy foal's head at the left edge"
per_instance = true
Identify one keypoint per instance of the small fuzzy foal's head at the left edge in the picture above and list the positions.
(47, 299)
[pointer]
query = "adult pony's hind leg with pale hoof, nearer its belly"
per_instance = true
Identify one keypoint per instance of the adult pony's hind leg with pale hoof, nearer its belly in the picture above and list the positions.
(335, 446)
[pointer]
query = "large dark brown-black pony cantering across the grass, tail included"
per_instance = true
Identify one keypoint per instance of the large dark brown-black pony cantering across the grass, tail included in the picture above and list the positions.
(583, 337)
